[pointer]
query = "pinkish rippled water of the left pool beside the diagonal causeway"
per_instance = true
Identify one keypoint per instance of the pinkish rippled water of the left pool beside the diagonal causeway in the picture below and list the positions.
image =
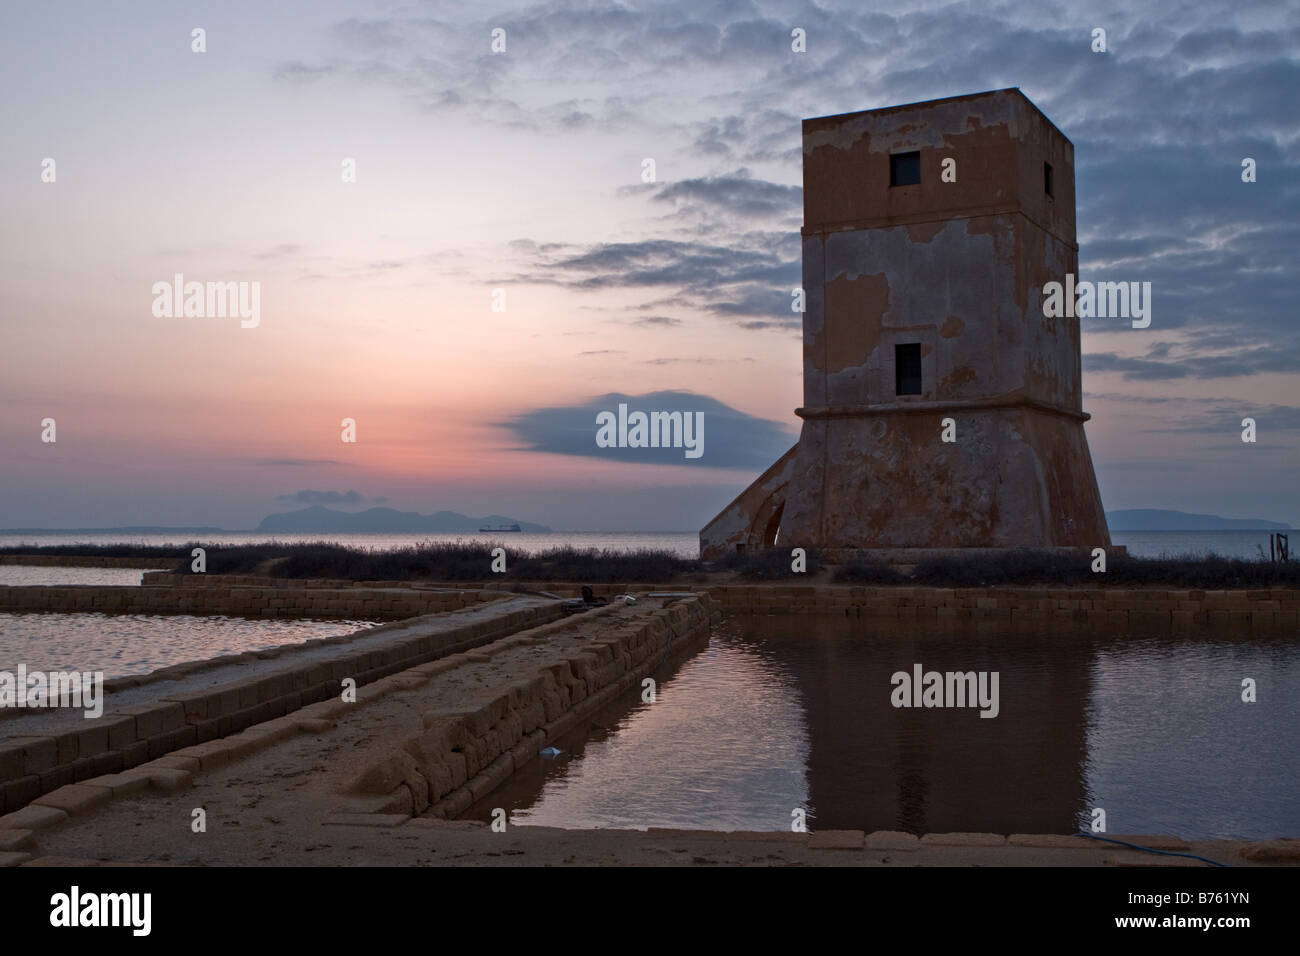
(122, 644)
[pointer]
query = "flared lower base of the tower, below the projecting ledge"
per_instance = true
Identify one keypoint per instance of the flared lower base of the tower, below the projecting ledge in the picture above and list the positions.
(887, 481)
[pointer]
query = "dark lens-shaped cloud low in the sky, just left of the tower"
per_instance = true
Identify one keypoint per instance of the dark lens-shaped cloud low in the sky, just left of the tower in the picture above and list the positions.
(731, 438)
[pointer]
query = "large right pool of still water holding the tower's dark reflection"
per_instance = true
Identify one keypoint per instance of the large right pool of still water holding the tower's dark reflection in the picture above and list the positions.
(782, 715)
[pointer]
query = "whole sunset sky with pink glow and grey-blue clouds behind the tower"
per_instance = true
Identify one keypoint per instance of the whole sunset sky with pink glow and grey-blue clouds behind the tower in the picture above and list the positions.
(501, 269)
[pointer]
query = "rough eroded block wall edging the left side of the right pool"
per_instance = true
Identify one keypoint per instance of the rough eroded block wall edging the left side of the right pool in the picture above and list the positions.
(461, 758)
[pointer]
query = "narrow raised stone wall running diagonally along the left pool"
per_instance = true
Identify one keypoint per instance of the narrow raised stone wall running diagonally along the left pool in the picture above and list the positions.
(123, 738)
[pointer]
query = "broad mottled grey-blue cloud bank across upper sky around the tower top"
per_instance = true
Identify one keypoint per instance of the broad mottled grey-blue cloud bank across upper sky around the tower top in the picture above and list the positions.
(1160, 126)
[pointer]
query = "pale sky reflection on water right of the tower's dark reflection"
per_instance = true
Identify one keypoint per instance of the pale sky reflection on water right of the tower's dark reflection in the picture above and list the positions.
(1173, 749)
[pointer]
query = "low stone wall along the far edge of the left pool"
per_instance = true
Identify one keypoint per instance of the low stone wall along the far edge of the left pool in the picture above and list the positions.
(265, 602)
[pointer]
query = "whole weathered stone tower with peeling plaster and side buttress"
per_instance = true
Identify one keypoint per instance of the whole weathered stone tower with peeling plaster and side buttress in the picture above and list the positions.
(929, 233)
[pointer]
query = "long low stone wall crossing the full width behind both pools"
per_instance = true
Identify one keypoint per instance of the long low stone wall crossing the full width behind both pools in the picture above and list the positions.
(1115, 609)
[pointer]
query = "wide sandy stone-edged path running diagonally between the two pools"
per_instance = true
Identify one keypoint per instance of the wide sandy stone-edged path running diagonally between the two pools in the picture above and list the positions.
(296, 771)
